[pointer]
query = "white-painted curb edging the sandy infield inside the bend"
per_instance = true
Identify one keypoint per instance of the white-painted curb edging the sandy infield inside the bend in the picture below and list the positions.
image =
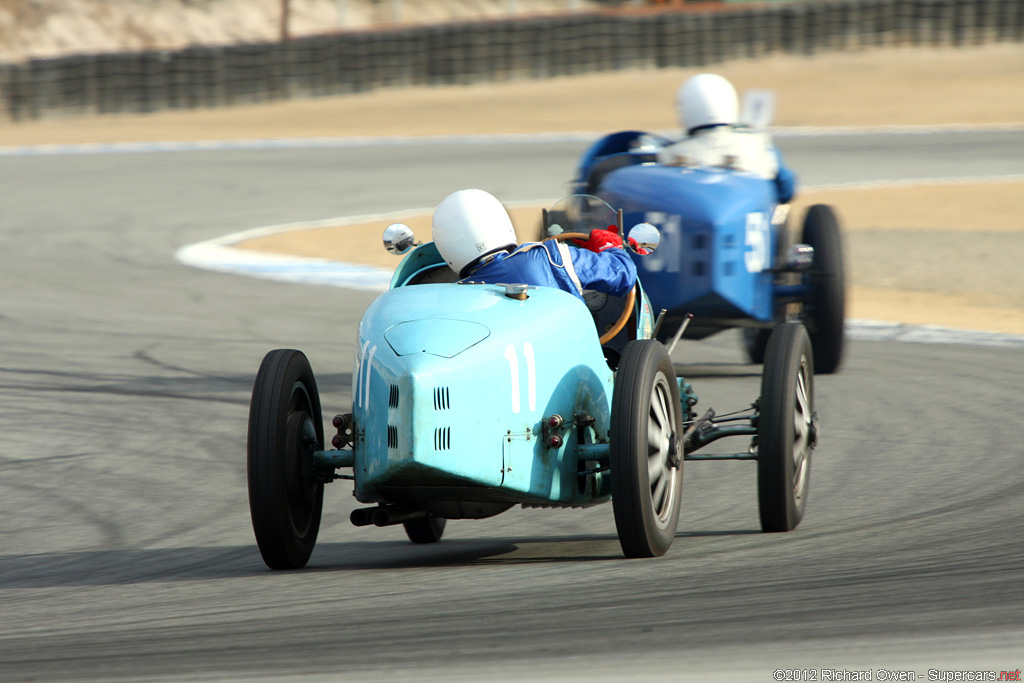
(222, 255)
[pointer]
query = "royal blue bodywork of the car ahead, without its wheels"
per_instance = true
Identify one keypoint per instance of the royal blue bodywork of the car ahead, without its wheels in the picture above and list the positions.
(719, 244)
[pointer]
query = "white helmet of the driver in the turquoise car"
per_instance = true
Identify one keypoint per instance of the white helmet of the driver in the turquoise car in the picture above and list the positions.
(471, 225)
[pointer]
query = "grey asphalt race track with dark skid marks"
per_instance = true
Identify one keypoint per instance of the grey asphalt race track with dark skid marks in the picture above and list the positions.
(126, 550)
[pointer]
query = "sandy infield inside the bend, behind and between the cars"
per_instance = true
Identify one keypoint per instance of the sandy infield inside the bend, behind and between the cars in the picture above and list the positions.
(915, 255)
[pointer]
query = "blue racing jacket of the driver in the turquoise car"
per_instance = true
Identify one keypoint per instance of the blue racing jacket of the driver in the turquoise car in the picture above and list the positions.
(554, 265)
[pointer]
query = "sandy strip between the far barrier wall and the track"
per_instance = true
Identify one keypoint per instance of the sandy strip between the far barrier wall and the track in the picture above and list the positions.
(983, 86)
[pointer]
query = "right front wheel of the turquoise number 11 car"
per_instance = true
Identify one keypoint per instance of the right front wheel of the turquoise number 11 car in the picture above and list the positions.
(786, 429)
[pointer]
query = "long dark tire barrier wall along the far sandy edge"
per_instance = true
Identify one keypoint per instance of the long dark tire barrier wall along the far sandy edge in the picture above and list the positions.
(465, 54)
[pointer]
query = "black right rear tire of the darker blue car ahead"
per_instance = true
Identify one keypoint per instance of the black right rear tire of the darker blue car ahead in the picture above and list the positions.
(825, 313)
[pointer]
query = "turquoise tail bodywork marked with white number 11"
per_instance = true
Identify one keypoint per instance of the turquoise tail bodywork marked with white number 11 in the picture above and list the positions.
(462, 415)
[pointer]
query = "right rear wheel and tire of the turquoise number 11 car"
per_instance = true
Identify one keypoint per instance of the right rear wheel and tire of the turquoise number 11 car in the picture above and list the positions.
(647, 395)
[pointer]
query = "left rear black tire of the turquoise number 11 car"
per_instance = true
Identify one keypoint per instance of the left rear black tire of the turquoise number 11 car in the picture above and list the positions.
(286, 498)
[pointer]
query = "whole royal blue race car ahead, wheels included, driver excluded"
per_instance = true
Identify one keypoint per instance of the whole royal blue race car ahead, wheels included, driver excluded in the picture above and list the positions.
(727, 255)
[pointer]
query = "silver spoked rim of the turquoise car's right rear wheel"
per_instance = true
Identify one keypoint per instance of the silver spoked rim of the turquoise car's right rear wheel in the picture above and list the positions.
(661, 436)
